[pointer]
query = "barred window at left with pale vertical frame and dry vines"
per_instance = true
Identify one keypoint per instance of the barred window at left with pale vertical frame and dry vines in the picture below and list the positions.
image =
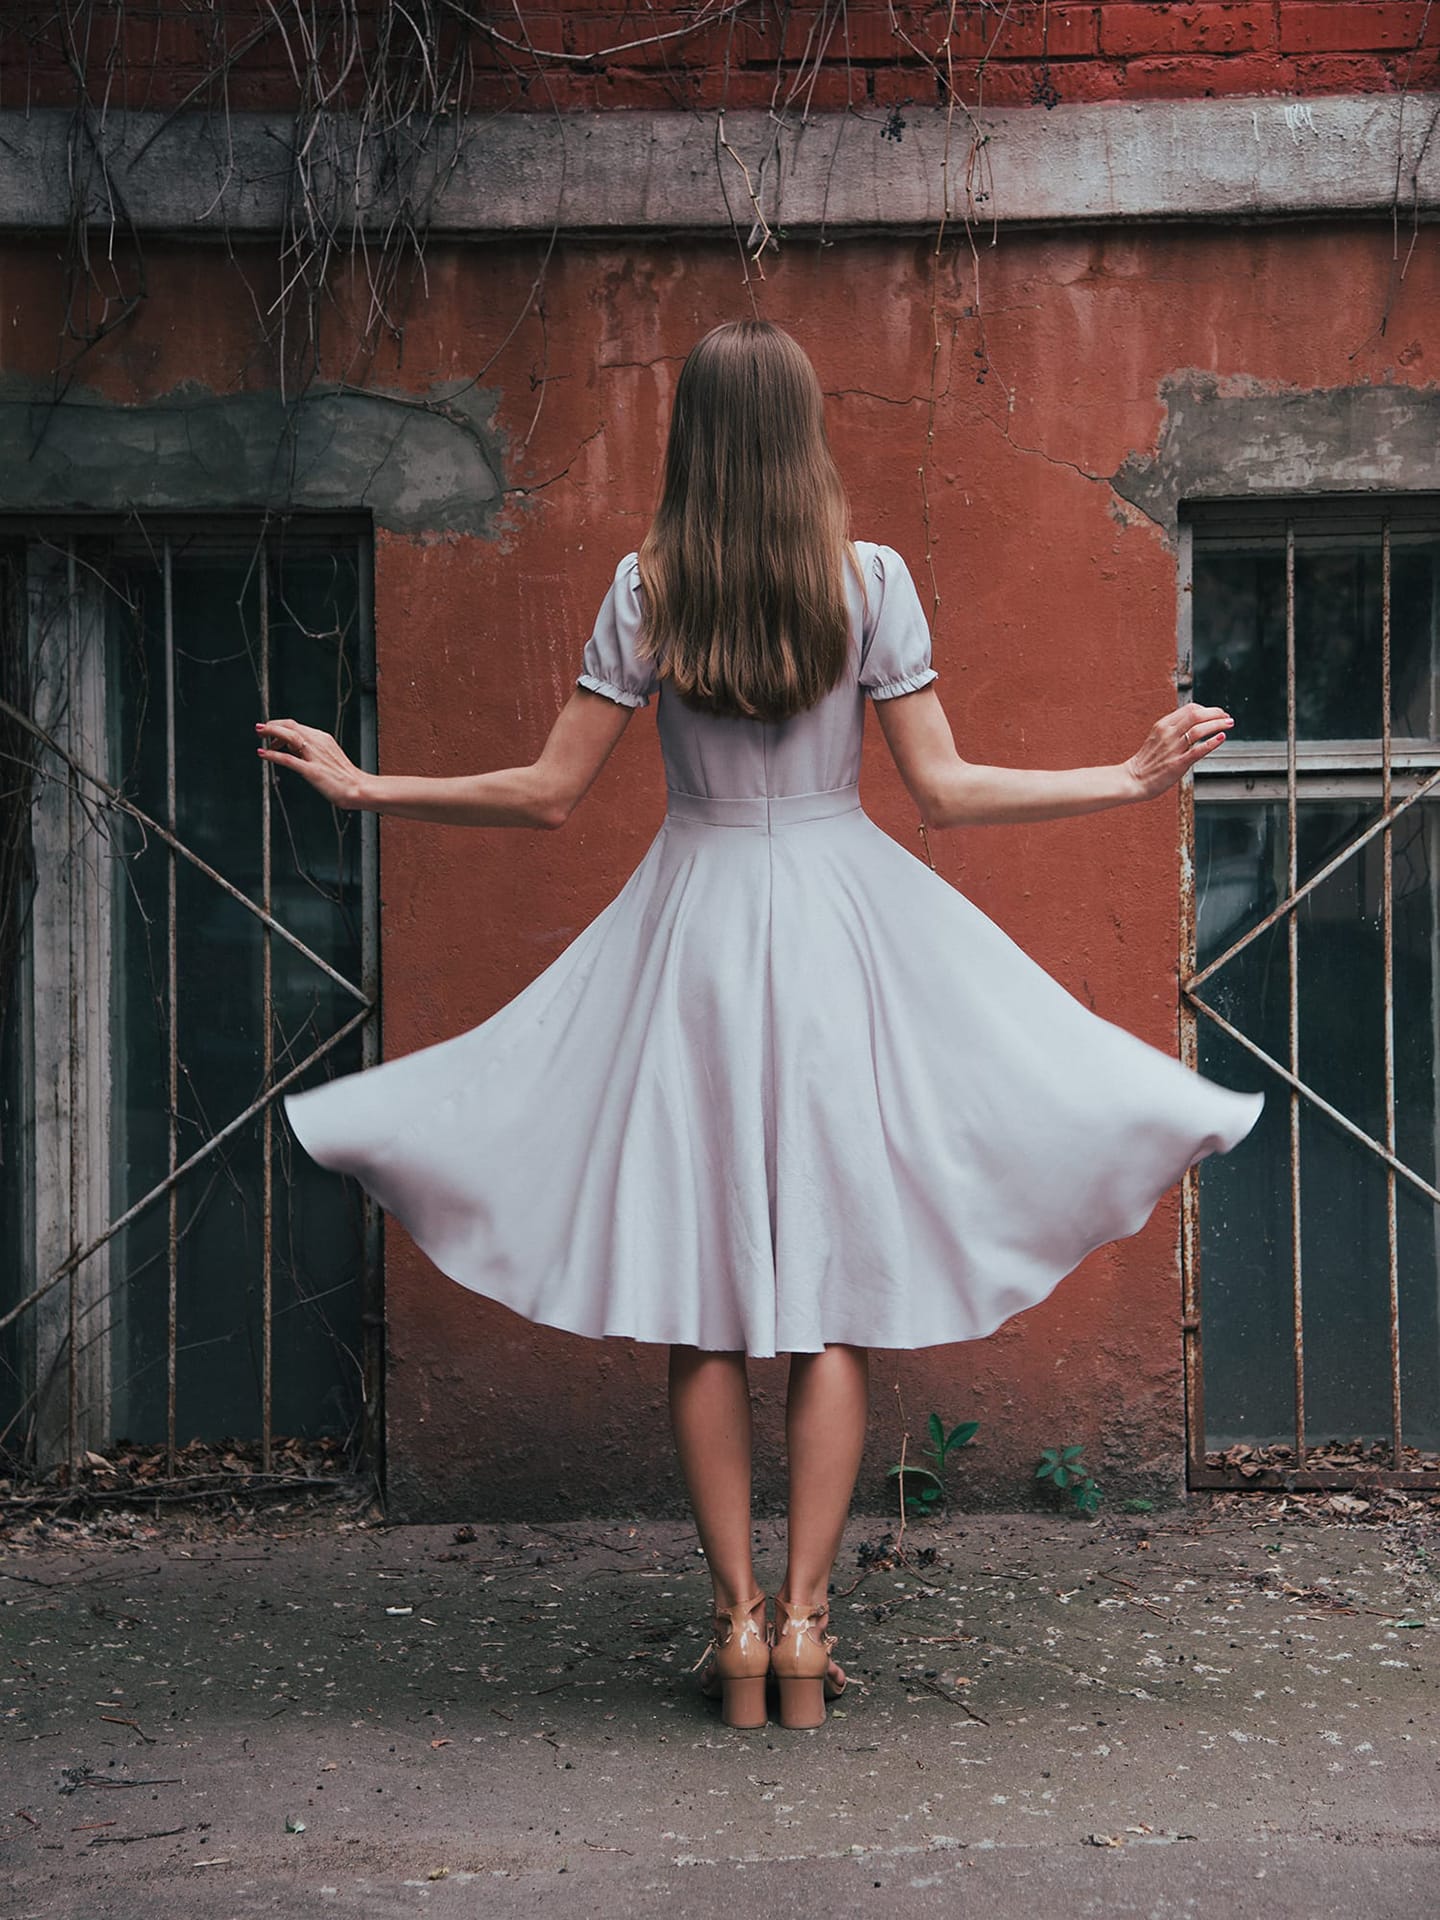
(183, 938)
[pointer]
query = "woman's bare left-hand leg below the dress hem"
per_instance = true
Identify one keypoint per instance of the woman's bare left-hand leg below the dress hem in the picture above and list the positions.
(711, 1422)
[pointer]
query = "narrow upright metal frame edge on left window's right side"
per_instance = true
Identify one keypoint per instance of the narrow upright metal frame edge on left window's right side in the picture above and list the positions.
(373, 1324)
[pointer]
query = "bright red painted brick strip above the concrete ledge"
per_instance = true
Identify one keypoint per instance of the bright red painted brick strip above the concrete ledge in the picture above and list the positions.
(623, 55)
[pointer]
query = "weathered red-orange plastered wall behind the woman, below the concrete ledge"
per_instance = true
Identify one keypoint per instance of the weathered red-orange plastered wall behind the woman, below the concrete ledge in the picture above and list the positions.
(1055, 640)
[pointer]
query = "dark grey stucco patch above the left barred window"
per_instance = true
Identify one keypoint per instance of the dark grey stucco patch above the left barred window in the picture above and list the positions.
(418, 462)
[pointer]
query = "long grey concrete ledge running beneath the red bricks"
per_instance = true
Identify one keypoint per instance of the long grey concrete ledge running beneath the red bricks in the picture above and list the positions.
(640, 172)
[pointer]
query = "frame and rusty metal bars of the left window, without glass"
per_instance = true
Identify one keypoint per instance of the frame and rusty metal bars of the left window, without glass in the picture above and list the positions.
(66, 1310)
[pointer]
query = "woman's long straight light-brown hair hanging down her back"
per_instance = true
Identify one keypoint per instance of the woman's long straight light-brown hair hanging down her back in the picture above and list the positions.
(744, 565)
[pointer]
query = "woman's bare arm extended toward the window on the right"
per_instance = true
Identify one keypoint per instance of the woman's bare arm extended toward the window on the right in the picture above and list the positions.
(951, 792)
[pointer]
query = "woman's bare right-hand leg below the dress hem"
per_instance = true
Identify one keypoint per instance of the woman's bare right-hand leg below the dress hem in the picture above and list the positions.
(825, 1429)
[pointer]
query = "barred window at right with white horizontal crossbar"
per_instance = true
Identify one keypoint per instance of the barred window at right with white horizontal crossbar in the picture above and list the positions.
(1314, 949)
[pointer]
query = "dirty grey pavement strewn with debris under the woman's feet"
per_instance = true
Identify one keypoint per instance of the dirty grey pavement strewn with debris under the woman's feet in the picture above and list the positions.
(1220, 1710)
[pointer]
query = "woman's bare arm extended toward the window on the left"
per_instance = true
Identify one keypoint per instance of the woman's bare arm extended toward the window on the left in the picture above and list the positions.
(539, 796)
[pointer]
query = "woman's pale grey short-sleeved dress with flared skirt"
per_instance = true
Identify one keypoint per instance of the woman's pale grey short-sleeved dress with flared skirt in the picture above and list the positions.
(790, 1088)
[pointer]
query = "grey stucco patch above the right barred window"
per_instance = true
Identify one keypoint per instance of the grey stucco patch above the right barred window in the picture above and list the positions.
(1253, 441)
